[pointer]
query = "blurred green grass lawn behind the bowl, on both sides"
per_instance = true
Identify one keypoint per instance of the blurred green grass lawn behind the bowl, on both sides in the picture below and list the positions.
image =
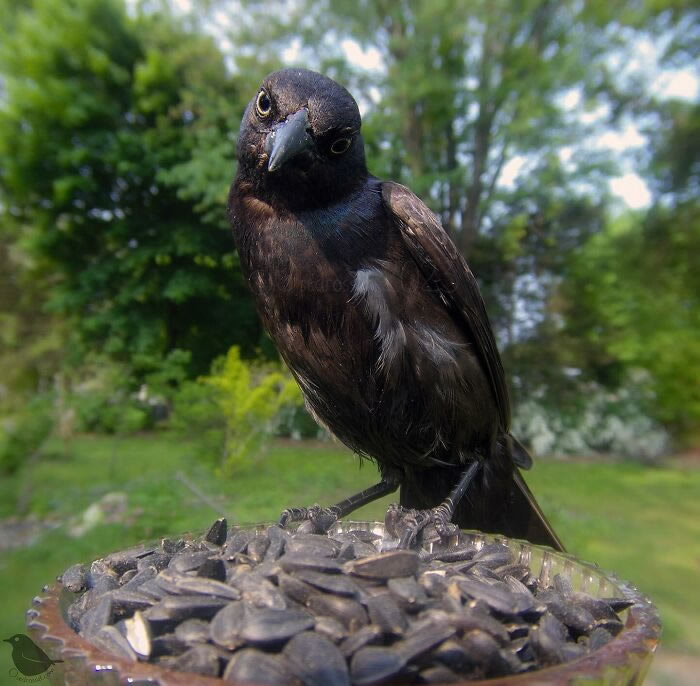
(641, 522)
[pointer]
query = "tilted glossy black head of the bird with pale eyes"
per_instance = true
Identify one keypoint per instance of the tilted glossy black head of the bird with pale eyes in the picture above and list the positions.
(300, 140)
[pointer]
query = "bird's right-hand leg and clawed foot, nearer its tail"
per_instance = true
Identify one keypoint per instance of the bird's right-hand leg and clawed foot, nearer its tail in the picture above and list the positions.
(406, 523)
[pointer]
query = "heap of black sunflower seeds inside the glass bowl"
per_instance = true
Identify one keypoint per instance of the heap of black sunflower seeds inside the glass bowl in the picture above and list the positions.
(280, 608)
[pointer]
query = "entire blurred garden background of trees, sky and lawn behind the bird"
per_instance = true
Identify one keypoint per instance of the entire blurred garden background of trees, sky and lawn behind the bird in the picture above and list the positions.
(139, 396)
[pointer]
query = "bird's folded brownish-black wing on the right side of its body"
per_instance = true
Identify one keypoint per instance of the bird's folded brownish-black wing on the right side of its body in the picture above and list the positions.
(445, 268)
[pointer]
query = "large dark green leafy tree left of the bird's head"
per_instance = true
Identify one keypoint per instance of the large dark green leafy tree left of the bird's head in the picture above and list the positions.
(116, 147)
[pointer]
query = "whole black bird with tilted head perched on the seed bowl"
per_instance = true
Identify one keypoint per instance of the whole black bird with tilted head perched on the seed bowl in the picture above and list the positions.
(377, 316)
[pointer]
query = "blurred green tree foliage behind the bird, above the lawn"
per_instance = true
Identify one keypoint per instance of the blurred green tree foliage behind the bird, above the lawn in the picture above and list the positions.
(117, 135)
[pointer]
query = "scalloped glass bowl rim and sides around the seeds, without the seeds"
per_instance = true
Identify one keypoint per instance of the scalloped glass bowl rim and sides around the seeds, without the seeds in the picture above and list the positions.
(625, 660)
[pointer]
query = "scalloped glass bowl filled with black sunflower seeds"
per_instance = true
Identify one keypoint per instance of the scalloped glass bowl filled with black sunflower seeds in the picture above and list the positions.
(283, 607)
